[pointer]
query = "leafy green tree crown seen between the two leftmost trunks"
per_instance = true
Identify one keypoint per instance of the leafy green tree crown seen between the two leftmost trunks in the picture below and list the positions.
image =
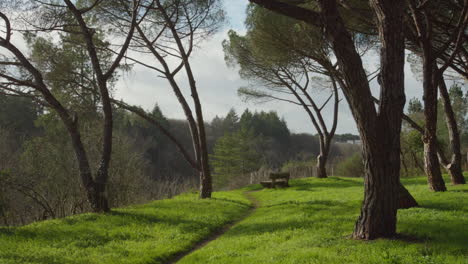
(67, 68)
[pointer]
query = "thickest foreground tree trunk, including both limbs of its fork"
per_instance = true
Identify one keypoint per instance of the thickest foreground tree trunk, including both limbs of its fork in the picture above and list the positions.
(380, 132)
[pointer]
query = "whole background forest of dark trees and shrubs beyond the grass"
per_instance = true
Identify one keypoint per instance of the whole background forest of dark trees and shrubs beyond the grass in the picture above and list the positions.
(39, 173)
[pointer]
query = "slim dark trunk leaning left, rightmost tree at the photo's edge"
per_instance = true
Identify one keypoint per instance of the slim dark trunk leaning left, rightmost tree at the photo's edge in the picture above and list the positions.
(454, 167)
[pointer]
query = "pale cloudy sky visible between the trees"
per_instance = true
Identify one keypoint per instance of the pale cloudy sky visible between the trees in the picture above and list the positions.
(217, 84)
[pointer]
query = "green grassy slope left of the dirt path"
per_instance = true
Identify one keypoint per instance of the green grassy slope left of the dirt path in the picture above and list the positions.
(141, 234)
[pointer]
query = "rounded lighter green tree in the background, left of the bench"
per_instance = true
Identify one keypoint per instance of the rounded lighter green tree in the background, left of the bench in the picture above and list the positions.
(234, 156)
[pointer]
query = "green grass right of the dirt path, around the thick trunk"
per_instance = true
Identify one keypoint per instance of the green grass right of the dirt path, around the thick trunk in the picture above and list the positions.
(310, 222)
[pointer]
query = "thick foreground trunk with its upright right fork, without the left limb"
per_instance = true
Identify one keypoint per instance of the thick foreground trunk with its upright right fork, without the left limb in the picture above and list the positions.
(382, 152)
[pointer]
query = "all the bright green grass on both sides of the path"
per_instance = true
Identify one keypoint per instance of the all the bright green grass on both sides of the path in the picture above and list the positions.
(307, 223)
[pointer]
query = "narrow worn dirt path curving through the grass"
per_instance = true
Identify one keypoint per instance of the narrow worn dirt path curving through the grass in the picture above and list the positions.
(217, 234)
